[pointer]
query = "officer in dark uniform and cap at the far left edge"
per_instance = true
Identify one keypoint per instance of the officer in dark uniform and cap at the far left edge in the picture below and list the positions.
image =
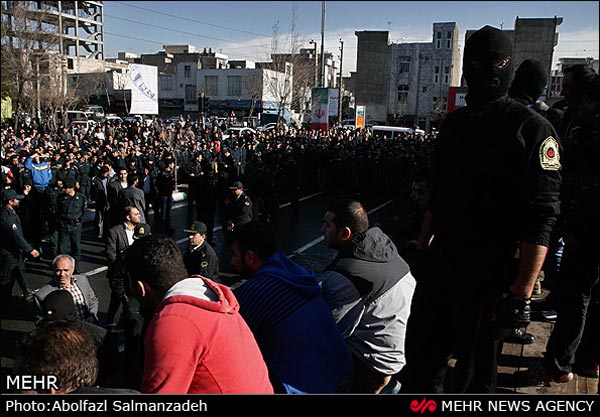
(12, 247)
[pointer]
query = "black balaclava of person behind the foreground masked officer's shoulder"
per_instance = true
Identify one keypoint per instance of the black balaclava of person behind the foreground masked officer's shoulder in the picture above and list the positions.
(529, 82)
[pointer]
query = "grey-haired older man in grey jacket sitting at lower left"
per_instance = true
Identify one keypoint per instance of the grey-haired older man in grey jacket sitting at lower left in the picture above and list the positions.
(78, 285)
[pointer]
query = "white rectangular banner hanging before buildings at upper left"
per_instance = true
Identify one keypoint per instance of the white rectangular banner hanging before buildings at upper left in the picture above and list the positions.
(144, 89)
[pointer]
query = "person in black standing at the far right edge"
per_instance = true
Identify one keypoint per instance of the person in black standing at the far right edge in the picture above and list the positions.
(578, 280)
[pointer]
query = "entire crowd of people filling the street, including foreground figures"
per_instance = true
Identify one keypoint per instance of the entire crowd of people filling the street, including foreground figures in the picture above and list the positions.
(509, 180)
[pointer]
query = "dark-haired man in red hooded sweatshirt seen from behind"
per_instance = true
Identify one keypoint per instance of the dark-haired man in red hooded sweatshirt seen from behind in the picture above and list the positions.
(196, 340)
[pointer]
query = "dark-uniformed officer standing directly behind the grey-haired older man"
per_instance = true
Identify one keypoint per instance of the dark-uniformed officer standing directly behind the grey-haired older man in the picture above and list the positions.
(71, 208)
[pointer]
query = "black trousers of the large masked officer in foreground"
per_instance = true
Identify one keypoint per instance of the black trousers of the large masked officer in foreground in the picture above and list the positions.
(452, 317)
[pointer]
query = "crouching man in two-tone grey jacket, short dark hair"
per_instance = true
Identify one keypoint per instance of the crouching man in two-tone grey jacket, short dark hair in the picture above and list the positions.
(369, 289)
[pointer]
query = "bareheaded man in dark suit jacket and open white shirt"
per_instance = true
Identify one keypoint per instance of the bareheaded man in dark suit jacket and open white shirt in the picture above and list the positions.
(118, 239)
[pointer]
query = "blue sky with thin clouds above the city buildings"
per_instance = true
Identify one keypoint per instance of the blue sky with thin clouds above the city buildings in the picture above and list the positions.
(244, 29)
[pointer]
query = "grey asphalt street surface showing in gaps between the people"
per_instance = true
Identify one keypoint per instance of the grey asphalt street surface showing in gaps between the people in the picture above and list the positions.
(299, 238)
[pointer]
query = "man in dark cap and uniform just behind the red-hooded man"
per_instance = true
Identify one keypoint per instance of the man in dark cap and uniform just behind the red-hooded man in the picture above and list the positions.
(200, 258)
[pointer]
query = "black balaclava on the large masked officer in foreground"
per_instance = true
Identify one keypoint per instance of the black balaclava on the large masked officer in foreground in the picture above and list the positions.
(487, 64)
